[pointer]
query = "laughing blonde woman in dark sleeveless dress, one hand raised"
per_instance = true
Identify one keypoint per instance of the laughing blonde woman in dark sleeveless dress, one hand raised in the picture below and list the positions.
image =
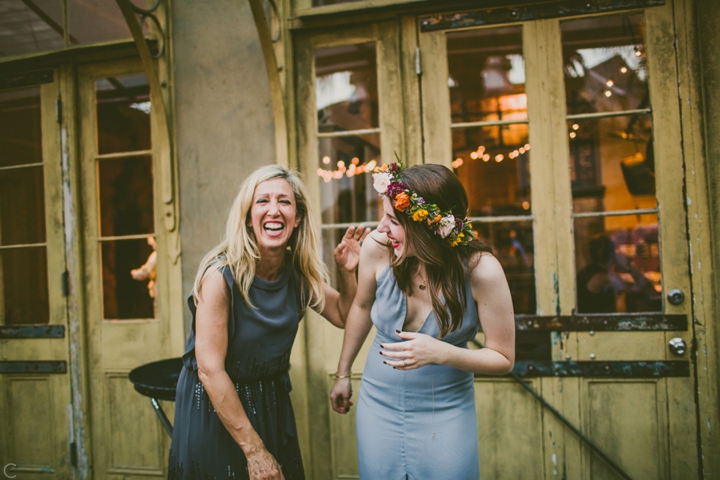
(233, 417)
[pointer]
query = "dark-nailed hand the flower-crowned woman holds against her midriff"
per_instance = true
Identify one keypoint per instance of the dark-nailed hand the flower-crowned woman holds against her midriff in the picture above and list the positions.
(417, 350)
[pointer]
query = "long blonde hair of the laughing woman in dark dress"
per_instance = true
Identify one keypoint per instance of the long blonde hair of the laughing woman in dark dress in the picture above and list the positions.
(240, 252)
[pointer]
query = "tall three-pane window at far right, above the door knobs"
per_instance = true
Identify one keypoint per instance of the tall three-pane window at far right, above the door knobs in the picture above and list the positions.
(610, 139)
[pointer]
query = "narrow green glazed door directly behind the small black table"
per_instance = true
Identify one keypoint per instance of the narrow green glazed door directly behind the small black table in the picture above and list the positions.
(121, 231)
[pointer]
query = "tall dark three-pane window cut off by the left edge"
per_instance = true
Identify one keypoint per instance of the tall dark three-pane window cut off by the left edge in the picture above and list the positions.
(23, 249)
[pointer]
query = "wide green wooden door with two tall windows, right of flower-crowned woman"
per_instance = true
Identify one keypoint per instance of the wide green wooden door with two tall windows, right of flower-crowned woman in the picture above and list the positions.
(566, 133)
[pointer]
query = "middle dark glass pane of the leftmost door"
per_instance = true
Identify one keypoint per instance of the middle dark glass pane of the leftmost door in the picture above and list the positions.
(22, 206)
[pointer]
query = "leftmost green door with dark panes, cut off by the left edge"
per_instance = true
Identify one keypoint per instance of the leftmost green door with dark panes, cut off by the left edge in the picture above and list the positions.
(34, 407)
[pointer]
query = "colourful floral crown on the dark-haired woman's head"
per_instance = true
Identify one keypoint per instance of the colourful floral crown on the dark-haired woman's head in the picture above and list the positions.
(387, 182)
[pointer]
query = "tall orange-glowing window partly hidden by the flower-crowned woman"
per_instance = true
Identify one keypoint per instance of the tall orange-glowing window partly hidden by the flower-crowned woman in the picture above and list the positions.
(491, 147)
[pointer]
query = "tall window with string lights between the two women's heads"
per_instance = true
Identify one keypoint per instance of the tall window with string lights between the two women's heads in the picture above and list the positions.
(348, 136)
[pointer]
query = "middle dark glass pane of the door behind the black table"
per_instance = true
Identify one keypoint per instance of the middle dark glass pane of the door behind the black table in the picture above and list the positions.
(126, 196)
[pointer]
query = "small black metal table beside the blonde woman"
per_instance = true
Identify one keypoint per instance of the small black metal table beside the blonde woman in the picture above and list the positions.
(158, 381)
